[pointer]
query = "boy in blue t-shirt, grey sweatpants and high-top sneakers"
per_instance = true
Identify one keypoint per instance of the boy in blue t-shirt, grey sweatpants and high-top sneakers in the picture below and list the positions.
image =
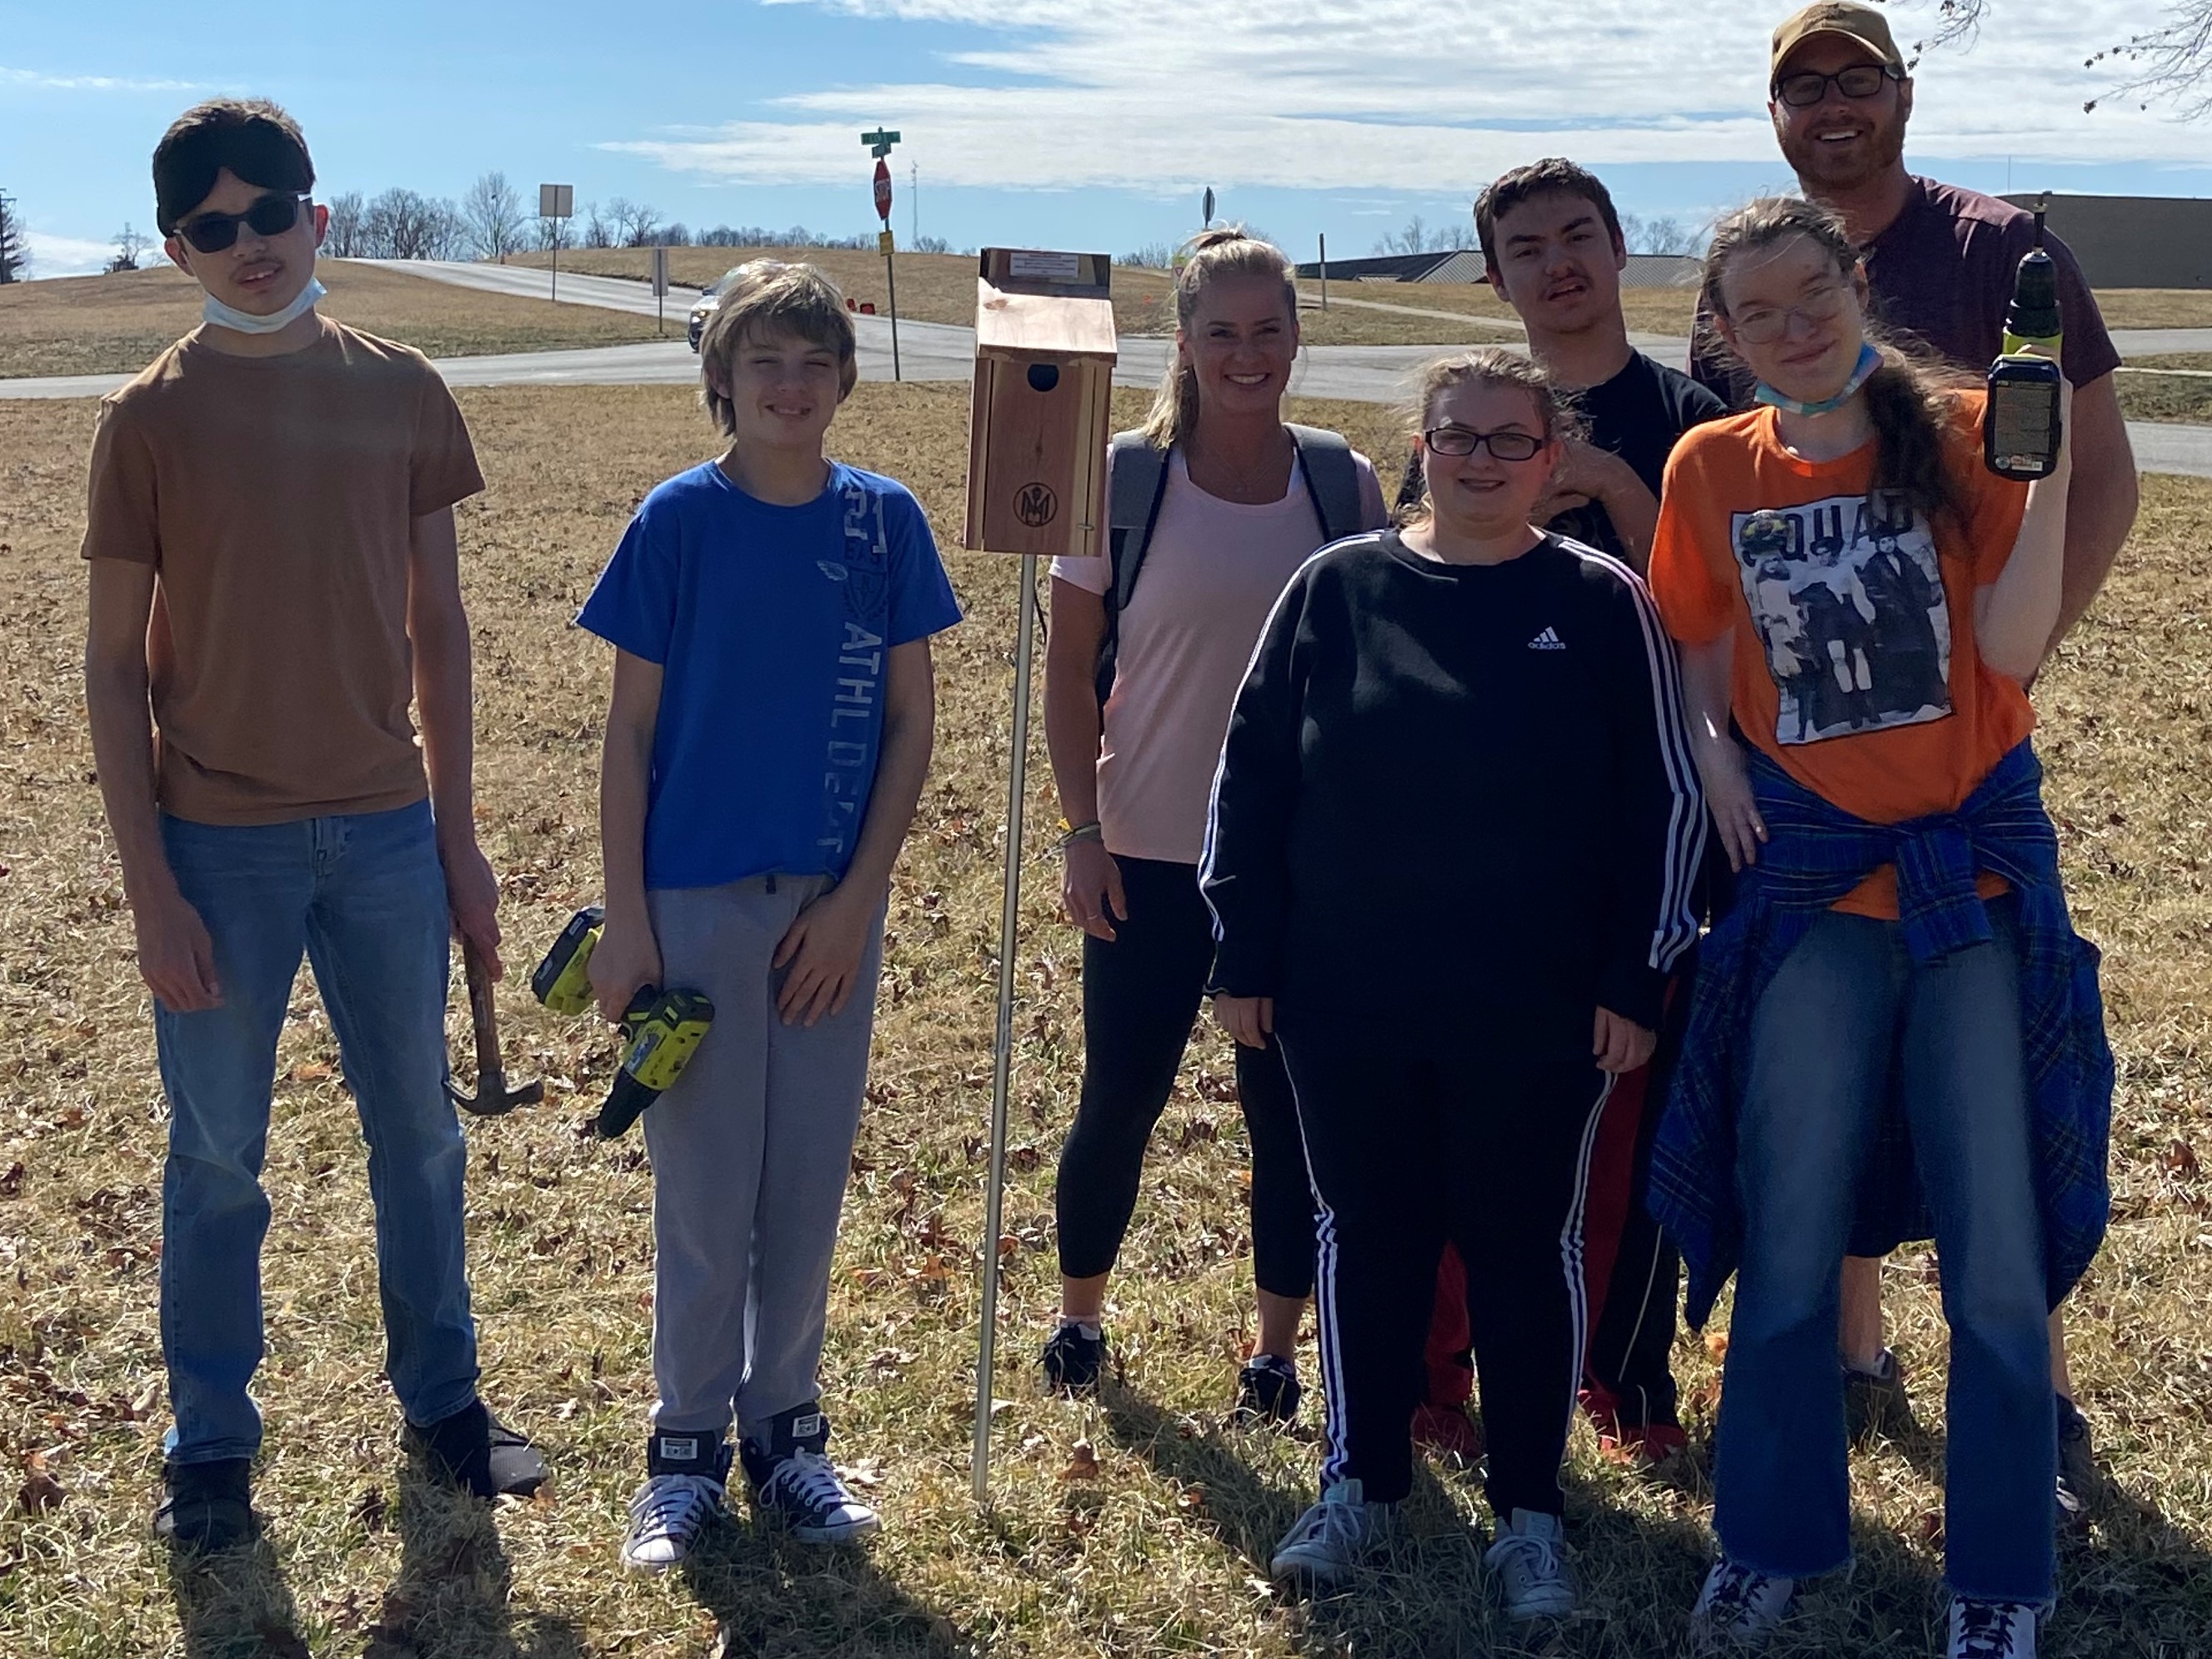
(766, 747)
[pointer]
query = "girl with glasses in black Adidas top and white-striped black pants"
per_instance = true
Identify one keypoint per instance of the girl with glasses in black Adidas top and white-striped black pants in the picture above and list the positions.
(1450, 866)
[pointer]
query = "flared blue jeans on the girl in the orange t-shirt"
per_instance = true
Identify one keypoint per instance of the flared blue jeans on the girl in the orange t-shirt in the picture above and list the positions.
(1841, 1012)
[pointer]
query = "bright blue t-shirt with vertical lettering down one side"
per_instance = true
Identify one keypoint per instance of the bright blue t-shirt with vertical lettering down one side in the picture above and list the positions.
(773, 627)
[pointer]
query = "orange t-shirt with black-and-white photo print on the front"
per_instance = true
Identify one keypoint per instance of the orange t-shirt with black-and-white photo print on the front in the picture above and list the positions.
(1855, 662)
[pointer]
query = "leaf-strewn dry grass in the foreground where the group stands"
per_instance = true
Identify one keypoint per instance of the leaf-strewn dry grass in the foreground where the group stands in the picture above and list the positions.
(1138, 1525)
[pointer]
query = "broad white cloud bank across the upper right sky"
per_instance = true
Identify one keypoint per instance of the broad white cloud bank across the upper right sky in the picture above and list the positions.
(1397, 94)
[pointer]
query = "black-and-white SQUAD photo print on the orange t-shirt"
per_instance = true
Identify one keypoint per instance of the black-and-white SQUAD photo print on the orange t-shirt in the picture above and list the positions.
(1850, 605)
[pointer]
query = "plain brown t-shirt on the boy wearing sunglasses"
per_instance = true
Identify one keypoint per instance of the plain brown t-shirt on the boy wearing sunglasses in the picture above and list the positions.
(275, 497)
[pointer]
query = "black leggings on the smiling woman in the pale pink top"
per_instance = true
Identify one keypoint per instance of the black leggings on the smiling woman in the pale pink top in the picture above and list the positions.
(1140, 999)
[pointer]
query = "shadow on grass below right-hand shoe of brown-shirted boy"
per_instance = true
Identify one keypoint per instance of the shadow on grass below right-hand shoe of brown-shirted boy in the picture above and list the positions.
(455, 1589)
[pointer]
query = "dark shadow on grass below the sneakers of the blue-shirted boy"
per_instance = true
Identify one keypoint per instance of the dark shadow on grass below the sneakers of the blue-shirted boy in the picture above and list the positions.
(775, 1596)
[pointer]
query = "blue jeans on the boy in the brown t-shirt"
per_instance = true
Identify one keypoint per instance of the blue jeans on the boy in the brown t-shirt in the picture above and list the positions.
(364, 897)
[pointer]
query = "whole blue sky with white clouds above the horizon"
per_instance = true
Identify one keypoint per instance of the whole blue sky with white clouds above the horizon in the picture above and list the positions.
(1058, 123)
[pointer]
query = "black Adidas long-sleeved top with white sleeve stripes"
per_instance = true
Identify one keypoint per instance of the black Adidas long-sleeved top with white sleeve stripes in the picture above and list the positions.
(1457, 793)
